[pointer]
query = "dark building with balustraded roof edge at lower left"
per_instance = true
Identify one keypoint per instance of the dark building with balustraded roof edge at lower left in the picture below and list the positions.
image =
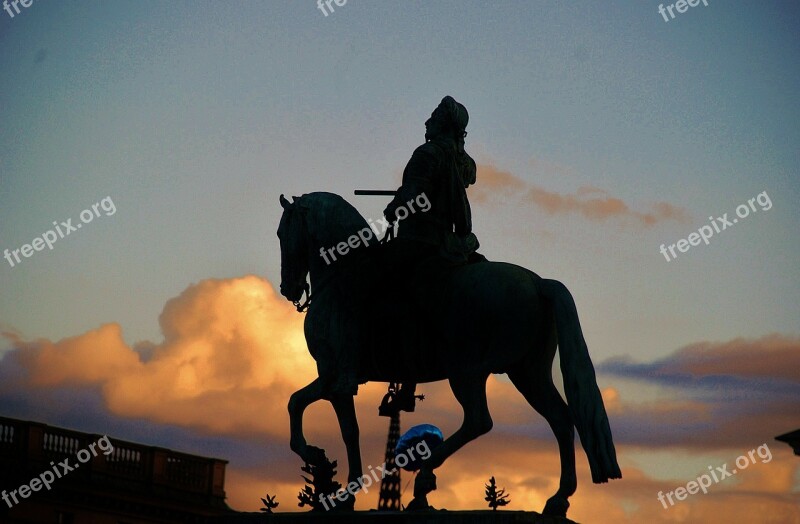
(101, 480)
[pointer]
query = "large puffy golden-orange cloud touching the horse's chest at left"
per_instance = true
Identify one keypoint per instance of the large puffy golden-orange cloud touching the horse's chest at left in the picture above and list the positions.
(230, 348)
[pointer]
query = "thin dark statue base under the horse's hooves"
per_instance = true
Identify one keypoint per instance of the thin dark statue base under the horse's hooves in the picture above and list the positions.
(396, 517)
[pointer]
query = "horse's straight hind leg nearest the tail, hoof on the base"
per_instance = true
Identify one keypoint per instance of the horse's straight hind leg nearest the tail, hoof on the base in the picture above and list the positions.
(538, 389)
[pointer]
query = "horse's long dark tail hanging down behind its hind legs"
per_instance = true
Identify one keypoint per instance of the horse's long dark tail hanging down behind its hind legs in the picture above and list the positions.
(580, 385)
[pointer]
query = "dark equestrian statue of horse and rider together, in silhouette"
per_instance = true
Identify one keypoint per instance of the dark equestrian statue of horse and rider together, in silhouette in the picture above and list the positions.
(426, 306)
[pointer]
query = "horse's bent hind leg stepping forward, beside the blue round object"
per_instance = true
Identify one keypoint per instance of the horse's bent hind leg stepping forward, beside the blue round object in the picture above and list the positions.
(470, 391)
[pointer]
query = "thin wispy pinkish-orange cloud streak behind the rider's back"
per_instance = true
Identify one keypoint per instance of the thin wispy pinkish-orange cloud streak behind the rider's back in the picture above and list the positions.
(590, 202)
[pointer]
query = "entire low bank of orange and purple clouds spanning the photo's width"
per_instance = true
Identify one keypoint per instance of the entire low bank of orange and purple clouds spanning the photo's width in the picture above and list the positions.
(233, 351)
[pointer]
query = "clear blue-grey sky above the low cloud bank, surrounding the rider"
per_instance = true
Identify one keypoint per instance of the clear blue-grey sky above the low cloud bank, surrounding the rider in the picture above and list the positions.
(194, 117)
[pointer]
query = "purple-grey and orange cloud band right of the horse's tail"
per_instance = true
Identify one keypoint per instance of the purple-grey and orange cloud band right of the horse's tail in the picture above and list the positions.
(722, 394)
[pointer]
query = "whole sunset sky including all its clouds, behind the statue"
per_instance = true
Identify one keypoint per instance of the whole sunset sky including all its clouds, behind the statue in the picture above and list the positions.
(601, 132)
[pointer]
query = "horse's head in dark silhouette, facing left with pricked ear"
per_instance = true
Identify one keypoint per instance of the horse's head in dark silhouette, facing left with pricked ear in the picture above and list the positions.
(292, 233)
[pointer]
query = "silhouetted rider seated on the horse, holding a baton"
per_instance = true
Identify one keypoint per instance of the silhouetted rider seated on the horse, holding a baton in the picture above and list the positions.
(442, 237)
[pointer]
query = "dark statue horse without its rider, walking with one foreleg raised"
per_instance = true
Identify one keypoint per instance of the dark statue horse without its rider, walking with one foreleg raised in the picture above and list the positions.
(495, 318)
